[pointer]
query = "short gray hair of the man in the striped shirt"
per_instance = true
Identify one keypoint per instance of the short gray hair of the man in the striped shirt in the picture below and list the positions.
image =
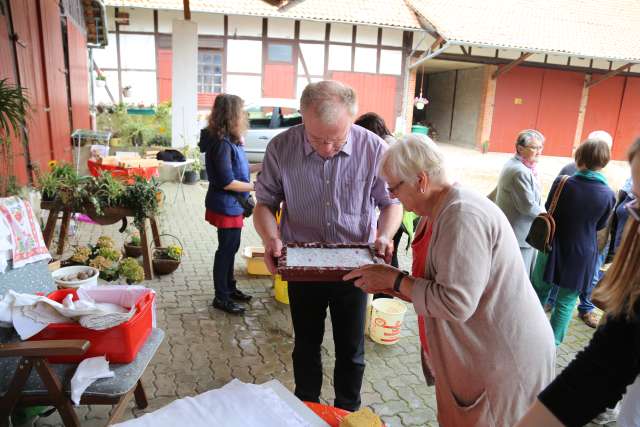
(325, 97)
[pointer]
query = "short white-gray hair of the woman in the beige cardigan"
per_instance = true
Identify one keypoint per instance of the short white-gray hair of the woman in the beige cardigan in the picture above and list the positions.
(414, 153)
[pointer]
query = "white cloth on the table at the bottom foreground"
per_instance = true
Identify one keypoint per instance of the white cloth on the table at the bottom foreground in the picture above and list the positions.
(237, 403)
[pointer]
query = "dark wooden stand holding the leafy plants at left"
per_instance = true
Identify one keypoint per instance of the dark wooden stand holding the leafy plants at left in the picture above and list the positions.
(54, 212)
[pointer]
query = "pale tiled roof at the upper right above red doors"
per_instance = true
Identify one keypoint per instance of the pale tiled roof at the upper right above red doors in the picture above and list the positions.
(608, 29)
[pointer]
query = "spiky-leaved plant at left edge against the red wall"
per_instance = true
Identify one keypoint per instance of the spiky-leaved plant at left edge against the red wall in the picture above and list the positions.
(14, 107)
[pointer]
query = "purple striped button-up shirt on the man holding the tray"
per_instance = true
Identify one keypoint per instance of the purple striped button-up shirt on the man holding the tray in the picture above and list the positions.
(329, 201)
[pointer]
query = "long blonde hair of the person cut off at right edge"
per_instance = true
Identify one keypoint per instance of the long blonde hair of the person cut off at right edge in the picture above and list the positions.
(620, 287)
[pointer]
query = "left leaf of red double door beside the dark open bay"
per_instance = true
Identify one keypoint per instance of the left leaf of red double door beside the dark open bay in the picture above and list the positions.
(516, 106)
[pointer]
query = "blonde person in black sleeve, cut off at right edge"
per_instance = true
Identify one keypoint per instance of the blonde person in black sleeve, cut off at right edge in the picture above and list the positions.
(609, 365)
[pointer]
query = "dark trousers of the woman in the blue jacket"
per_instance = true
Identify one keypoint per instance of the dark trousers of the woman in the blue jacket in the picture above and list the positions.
(228, 245)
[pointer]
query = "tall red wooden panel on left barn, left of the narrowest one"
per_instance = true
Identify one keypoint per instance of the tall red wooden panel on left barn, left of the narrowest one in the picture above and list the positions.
(58, 105)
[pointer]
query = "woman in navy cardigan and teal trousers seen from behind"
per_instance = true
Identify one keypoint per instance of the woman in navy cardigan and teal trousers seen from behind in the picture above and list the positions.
(583, 208)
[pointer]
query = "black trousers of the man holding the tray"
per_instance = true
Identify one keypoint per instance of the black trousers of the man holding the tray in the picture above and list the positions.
(347, 306)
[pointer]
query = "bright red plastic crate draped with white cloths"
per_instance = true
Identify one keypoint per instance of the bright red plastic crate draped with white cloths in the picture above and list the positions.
(119, 344)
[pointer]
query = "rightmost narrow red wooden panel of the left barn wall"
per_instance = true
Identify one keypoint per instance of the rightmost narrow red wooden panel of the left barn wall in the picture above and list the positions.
(78, 76)
